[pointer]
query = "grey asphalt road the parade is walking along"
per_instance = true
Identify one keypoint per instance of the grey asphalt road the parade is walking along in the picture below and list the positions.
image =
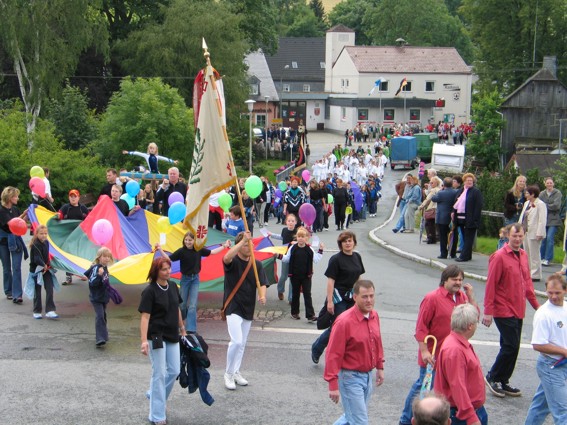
(51, 372)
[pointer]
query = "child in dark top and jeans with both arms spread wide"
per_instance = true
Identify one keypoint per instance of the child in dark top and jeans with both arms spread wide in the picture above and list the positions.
(190, 264)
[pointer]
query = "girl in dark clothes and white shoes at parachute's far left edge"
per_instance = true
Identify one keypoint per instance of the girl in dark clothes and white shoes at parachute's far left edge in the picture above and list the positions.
(41, 274)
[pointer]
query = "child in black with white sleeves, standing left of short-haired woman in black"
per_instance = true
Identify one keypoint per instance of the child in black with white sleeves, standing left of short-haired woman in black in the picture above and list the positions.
(301, 257)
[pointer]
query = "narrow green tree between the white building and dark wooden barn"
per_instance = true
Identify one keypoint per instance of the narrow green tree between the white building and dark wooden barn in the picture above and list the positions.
(484, 143)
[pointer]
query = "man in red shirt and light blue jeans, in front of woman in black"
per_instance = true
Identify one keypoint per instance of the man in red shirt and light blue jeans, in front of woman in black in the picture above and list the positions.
(354, 350)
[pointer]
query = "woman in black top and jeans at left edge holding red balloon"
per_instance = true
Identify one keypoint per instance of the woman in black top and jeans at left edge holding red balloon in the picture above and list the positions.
(12, 247)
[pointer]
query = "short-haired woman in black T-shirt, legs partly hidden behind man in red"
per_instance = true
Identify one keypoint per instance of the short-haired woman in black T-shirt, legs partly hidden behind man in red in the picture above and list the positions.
(343, 270)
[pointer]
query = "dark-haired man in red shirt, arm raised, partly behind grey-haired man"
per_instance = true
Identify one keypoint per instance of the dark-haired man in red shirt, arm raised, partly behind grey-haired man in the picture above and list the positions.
(434, 318)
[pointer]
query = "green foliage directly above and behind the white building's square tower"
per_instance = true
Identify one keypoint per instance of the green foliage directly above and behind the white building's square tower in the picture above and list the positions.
(351, 13)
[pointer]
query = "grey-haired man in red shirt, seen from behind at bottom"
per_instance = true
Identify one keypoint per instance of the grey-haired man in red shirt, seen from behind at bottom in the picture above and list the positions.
(459, 374)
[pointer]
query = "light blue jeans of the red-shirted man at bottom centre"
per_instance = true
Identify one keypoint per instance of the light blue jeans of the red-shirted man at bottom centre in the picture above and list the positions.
(356, 389)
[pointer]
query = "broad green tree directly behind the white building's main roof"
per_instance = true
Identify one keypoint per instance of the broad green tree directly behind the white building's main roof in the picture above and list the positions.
(422, 23)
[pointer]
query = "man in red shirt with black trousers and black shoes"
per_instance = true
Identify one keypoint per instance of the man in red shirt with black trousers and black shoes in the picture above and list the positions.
(508, 285)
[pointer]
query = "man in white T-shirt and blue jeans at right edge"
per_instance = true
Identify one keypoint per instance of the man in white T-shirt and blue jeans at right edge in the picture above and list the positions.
(549, 338)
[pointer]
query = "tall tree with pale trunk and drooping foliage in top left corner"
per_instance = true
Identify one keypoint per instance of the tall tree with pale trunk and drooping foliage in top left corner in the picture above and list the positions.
(45, 40)
